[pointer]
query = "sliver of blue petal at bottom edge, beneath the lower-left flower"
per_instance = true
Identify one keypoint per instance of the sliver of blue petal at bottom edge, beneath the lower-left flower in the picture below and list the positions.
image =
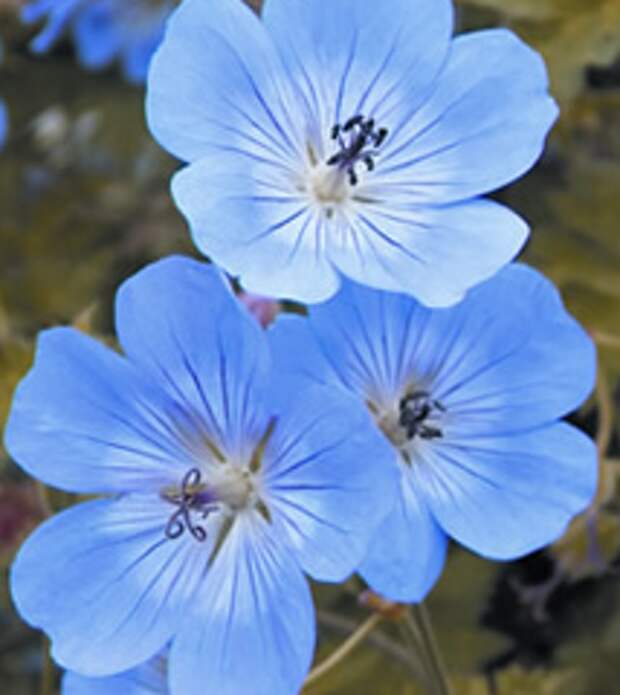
(146, 679)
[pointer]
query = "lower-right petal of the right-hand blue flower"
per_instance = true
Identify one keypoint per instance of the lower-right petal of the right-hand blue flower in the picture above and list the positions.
(505, 496)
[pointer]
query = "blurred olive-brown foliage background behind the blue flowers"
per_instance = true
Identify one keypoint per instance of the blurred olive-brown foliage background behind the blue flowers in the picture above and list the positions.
(84, 203)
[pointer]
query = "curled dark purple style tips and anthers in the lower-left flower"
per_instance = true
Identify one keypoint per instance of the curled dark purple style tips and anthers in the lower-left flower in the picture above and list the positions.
(190, 499)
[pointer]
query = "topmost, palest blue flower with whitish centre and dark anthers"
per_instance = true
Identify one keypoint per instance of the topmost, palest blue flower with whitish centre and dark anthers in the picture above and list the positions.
(339, 139)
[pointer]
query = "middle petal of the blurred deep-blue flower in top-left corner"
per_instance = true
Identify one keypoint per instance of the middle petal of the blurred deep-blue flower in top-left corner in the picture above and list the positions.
(97, 35)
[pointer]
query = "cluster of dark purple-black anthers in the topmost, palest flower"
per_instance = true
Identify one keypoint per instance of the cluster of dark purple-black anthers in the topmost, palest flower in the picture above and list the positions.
(359, 141)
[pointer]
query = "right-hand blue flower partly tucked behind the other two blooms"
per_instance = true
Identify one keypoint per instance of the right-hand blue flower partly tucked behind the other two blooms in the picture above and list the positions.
(470, 399)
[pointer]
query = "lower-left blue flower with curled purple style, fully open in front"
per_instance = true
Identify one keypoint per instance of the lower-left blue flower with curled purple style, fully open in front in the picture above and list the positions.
(224, 485)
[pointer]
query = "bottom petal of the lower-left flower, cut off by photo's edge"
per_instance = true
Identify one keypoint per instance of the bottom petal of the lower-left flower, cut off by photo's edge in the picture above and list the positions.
(252, 627)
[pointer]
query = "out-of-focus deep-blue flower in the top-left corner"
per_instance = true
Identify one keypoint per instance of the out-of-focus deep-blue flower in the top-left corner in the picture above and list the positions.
(103, 30)
